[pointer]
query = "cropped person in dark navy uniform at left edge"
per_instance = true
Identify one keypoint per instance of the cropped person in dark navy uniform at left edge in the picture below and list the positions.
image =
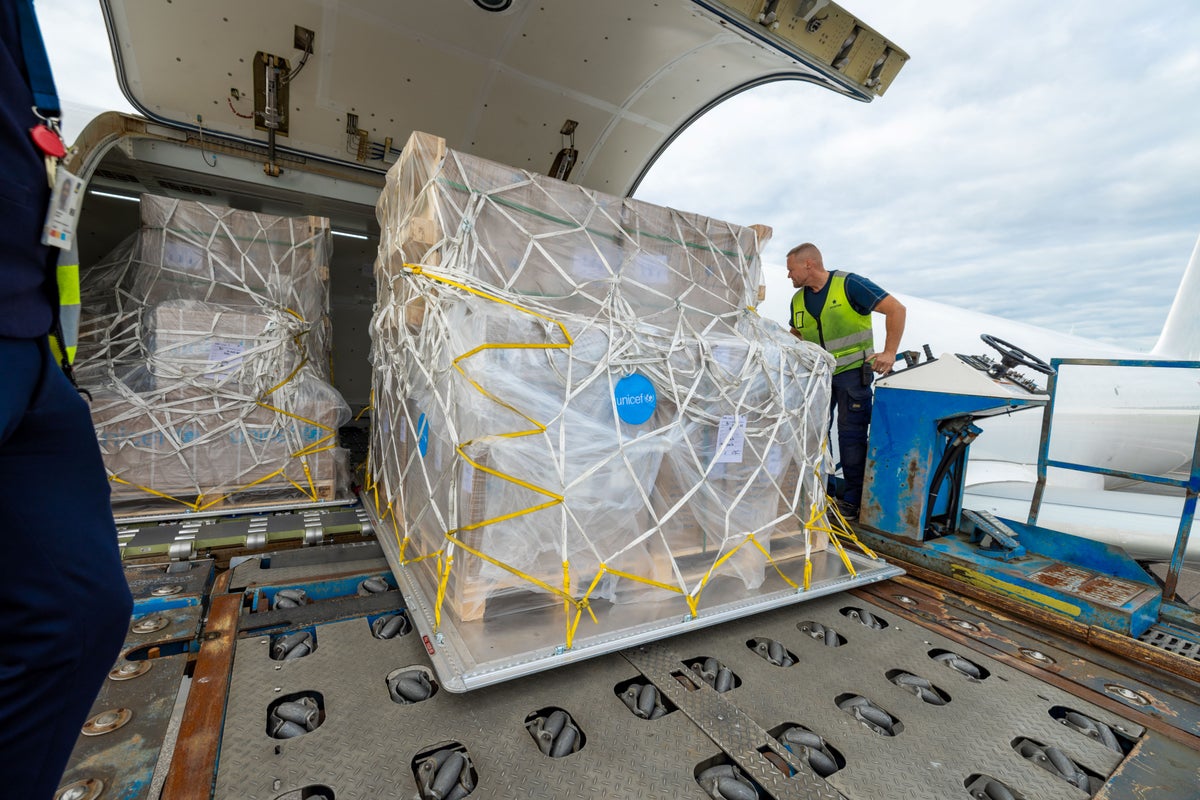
(64, 601)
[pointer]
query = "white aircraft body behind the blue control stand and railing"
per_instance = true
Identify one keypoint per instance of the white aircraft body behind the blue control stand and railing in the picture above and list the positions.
(1131, 419)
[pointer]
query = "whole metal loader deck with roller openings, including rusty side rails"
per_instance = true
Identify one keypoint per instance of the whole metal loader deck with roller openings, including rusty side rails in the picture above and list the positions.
(962, 731)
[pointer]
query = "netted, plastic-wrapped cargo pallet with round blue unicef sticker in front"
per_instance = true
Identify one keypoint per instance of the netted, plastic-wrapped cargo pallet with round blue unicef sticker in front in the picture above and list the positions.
(581, 426)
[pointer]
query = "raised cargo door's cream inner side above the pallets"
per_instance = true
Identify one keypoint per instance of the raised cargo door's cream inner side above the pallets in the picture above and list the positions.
(350, 80)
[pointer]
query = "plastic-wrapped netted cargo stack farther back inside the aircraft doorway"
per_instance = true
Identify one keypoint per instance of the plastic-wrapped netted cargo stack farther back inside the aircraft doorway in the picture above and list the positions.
(206, 348)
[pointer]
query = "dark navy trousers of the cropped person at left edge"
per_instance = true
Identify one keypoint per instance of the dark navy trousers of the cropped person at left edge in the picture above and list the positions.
(64, 601)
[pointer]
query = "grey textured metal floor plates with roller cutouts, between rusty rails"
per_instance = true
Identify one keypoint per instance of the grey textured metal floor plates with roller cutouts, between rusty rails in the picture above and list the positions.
(367, 744)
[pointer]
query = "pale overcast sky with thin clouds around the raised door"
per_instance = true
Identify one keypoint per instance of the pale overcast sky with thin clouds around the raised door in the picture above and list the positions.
(1035, 161)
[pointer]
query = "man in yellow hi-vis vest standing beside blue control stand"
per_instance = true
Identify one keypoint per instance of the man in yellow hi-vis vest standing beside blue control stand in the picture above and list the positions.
(835, 310)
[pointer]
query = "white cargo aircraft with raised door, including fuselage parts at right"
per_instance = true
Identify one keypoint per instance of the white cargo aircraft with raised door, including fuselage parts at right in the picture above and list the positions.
(583, 93)
